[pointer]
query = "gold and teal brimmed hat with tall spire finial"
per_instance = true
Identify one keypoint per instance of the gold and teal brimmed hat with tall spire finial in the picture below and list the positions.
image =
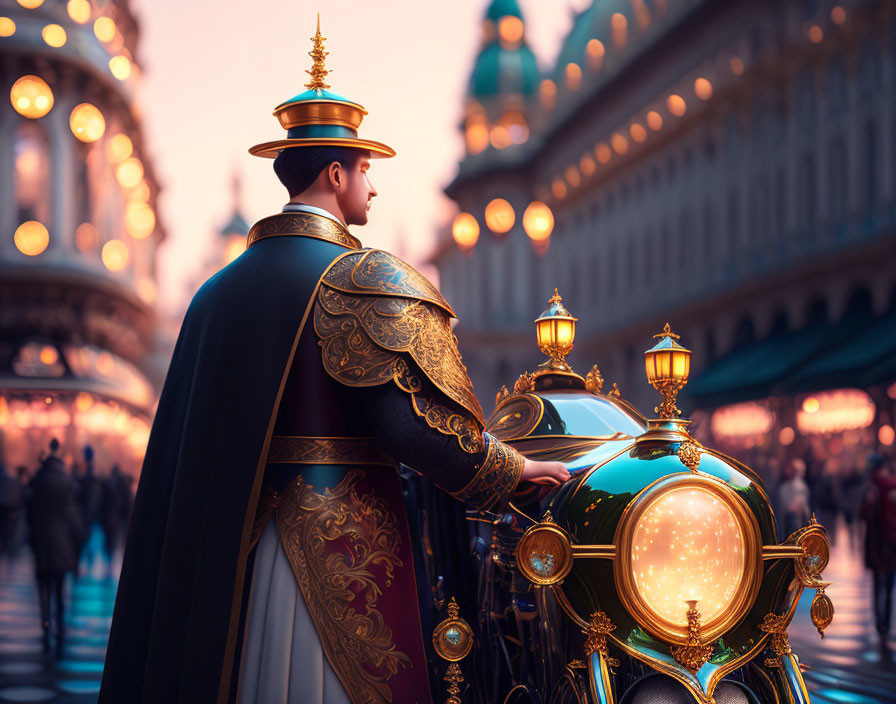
(318, 118)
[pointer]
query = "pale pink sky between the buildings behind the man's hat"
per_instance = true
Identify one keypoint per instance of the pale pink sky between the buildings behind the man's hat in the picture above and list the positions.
(215, 70)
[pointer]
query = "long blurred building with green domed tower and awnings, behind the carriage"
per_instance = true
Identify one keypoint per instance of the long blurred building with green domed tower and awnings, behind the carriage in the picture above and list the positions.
(727, 166)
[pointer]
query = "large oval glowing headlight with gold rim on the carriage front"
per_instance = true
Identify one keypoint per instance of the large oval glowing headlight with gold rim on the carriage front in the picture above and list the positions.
(687, 537)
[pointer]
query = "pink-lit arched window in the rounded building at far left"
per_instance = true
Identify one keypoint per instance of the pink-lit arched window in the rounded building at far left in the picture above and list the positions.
(32, 157)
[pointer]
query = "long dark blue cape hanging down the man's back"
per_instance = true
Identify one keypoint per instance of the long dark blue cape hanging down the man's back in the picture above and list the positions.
(175, 627)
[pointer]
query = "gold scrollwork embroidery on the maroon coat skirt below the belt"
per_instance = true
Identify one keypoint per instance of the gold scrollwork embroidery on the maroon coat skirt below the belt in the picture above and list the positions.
(358, 644)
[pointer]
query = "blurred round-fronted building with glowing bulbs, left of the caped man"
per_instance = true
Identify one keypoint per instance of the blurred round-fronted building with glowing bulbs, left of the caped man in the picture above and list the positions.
(78, 234)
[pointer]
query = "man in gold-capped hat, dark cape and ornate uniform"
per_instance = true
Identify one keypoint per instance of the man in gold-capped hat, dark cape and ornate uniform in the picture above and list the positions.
(269, 556)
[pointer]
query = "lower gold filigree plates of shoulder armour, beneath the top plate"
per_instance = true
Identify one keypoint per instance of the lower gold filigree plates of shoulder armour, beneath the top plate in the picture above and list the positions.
(360, 337)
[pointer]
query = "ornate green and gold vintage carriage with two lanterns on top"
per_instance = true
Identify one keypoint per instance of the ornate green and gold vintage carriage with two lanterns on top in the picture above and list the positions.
(654, 575)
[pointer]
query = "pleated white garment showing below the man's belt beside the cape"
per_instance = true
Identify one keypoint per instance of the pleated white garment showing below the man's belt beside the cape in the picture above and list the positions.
(282, 660)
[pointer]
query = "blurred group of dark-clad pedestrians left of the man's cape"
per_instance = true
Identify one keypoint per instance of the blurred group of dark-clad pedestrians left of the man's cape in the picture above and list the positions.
(70, 517)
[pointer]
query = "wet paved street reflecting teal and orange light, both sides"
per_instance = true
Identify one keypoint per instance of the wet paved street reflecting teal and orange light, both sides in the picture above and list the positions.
(846, 667)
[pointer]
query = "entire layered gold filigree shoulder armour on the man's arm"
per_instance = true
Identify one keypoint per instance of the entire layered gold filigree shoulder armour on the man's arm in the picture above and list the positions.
(369, 337)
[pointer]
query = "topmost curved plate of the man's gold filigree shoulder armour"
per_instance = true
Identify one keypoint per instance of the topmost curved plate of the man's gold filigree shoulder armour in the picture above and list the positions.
(378, 273)
